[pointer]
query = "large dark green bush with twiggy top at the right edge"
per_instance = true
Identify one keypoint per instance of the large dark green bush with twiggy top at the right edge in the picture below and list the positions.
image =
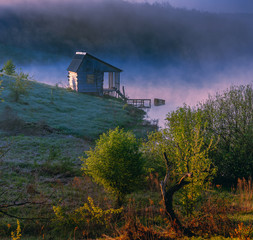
(230, 116)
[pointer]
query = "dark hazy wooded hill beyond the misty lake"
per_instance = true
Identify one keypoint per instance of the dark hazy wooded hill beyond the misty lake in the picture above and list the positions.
(155, 33)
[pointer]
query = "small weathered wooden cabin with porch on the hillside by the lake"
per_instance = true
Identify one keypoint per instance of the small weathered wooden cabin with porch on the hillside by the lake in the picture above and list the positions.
(86, 74)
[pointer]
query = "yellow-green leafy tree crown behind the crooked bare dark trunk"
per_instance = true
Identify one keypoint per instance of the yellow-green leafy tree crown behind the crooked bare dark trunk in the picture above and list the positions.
(187, 146)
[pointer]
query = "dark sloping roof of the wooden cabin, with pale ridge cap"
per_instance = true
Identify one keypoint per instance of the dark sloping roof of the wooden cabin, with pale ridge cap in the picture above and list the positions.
(78, 59)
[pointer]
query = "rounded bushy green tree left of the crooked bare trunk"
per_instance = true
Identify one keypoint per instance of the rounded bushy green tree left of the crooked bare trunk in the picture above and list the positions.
(116, 163)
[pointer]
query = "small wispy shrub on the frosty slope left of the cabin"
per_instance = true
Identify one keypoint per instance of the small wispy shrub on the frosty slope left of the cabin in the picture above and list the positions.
(20, 86)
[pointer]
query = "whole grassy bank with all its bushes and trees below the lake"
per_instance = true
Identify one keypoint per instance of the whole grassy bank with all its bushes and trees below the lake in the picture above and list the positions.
(58, 183)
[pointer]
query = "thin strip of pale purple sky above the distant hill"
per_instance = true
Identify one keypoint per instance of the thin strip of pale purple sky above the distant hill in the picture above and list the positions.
(230, 6)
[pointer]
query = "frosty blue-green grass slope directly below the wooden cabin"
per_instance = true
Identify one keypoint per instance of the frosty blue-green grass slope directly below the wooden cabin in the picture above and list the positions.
(66, 111)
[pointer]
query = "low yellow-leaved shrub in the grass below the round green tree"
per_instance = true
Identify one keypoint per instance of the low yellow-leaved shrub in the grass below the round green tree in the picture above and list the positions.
(87, 218)
